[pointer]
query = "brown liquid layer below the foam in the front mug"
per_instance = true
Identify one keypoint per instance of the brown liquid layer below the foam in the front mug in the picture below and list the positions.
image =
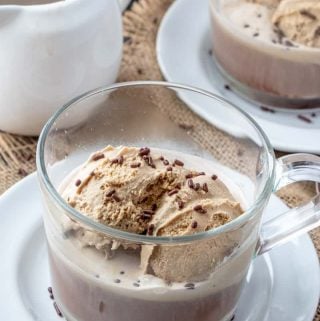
(87, 301)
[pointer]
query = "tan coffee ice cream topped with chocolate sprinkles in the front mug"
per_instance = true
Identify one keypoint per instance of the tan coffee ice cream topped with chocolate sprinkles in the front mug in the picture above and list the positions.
(140, 191)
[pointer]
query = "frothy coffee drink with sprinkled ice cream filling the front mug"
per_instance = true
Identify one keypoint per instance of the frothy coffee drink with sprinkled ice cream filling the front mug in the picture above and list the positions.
(155, 193)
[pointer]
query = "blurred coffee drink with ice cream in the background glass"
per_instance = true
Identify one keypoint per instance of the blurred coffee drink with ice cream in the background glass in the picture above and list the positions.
(270, 49)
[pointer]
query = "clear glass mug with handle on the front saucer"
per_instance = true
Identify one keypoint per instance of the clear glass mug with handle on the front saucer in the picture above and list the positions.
(87, 286)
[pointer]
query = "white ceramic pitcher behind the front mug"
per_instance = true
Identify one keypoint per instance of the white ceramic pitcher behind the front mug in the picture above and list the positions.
(51, 51)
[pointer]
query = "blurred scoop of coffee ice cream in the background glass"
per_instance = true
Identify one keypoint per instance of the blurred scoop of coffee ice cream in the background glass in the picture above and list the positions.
(299, 20)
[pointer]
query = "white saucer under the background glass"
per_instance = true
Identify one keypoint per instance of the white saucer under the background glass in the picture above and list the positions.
(183, 51)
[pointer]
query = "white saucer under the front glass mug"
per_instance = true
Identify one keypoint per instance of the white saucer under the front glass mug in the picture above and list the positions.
(283, 285)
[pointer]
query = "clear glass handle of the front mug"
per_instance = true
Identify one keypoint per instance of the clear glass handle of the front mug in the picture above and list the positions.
(299, 220)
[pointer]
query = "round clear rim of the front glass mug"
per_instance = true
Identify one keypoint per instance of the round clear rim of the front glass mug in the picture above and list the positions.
(146, 239)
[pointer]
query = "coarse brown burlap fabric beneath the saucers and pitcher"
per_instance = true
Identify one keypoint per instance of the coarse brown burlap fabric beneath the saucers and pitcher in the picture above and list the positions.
(141, 22)
